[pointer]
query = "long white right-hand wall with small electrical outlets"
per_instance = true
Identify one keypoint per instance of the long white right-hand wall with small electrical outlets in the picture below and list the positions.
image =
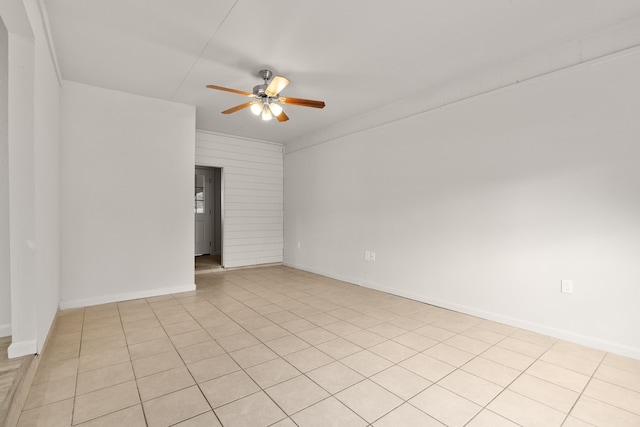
(485, 205)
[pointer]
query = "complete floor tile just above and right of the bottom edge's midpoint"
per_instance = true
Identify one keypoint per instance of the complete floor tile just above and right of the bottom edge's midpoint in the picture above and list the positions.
(369, 400)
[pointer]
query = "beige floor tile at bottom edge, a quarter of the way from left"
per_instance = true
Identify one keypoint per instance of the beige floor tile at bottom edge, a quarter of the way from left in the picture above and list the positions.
(175, 407)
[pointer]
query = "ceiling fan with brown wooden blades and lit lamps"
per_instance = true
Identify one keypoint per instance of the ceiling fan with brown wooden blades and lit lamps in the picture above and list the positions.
(267, 98)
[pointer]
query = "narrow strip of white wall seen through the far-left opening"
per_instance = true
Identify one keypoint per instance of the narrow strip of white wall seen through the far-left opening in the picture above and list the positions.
(5, 275)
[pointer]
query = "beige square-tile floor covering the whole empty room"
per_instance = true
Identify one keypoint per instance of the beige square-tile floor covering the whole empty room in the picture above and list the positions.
(274, 346)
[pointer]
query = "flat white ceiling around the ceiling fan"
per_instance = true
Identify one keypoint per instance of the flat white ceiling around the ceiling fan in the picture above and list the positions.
(356, 55)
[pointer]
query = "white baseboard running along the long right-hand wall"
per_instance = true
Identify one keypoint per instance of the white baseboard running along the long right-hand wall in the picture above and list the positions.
(585, 340)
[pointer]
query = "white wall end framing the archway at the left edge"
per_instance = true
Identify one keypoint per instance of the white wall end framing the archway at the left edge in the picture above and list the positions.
(22, 236)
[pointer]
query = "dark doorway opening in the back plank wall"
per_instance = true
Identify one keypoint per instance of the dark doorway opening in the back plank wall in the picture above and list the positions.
(208, 219)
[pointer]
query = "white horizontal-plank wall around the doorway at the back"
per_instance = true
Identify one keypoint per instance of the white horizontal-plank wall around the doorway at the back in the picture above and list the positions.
(252, 196)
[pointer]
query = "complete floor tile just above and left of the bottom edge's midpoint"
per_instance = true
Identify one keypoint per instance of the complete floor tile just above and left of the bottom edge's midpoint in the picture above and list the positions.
(296, 394)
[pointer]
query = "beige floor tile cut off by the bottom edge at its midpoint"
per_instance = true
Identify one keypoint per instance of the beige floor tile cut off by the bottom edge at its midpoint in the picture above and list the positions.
(329, 412)
